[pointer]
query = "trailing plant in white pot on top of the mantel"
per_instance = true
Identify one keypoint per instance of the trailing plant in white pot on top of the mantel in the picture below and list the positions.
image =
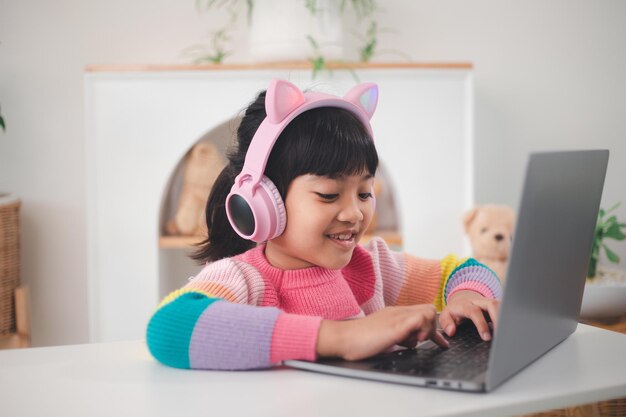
(313, 25)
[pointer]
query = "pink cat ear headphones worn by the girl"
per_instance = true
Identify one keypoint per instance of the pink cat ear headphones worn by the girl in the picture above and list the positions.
(254, 206)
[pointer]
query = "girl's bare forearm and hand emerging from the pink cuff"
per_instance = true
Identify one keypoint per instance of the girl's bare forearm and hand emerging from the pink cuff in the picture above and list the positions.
(361, 338)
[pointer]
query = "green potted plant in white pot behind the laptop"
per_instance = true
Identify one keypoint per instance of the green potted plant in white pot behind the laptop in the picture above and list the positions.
(605, 292)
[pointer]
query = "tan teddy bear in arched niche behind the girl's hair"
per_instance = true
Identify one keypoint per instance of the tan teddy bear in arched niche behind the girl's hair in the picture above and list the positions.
(202, 166)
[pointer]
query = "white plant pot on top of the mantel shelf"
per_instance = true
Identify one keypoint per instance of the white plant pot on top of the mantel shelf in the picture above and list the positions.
(279, 30)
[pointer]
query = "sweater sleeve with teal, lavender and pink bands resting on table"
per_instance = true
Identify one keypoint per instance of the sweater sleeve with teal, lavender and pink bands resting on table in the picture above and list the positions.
(215, 322)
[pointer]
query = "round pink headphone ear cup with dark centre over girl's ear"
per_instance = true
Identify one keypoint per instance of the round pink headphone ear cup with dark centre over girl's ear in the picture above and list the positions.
(256, 213)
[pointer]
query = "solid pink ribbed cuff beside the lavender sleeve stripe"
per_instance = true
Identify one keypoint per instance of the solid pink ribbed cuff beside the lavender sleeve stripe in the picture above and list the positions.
(295, 337)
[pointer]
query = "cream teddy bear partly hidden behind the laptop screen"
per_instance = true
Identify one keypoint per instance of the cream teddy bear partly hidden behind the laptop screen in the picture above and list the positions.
(490, 232)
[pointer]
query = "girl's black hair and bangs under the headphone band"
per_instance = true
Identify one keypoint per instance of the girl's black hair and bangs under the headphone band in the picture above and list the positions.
(329, 142)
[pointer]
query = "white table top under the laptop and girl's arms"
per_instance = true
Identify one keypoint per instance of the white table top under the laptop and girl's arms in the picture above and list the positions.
(122, 379)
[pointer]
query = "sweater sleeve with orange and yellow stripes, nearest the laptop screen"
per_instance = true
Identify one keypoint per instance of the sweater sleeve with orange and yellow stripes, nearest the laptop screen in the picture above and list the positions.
(411, 280)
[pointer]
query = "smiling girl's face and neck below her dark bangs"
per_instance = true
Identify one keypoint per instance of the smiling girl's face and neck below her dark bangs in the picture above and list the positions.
(326, 218)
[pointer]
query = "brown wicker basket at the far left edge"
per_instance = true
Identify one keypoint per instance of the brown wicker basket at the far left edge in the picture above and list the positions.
(9, 260)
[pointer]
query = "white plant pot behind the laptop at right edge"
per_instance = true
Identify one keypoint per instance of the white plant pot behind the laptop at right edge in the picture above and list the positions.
(605, 295)
